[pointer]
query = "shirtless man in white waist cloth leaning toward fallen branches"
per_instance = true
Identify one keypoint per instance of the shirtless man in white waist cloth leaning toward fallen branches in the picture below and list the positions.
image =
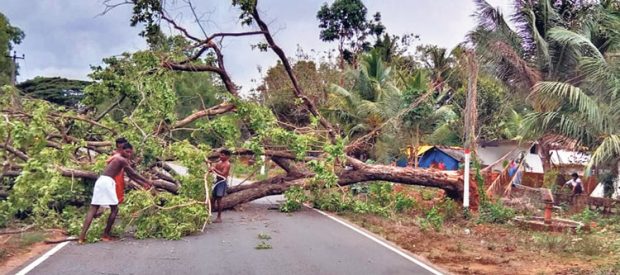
(104, 192)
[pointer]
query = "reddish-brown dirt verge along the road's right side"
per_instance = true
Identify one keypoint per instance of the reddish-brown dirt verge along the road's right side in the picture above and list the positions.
(467, 248)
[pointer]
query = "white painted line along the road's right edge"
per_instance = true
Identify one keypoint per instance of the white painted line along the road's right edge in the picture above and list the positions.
(384, 243)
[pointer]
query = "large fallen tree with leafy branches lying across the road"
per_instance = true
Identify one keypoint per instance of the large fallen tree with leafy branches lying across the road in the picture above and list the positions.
(46, 148)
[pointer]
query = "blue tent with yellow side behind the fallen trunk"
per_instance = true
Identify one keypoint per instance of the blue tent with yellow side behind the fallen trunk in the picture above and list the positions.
(449, 156)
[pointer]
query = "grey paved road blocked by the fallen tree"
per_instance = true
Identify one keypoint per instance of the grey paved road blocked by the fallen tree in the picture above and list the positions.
(303, 243)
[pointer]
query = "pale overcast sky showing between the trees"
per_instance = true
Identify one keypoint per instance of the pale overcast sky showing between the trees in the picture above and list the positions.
(64, 38)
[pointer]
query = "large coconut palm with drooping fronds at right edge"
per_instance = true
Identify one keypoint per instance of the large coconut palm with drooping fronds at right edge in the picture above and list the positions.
(563, 56)
